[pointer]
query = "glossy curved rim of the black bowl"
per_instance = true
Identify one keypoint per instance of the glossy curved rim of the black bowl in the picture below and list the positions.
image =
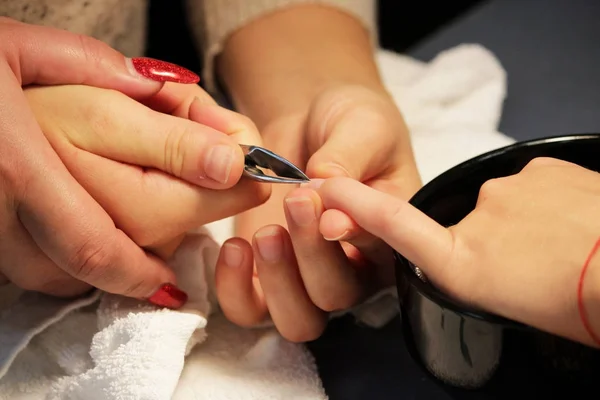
(448, 177)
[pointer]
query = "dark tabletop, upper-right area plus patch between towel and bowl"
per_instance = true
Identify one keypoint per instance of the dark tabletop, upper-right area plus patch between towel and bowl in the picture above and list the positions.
(551, 51)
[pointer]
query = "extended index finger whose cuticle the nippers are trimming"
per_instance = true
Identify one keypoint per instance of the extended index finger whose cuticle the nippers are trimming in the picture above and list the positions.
(409, 231)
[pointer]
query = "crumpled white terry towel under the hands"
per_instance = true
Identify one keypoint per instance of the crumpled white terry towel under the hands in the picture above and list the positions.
(105, 346)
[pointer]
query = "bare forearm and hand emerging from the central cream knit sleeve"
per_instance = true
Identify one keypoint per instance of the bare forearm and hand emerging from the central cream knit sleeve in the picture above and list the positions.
(313, 89)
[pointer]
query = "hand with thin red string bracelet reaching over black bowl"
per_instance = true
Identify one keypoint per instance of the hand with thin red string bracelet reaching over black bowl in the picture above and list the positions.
(520, 253)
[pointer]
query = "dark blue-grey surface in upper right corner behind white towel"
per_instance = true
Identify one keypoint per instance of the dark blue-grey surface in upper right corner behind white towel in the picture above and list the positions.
(551, 52)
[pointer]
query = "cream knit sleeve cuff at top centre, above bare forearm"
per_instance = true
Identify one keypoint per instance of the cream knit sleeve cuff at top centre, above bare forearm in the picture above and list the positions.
(212, 21)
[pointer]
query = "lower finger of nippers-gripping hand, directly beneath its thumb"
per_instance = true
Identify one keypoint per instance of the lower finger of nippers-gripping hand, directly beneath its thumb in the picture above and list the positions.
(157, 207)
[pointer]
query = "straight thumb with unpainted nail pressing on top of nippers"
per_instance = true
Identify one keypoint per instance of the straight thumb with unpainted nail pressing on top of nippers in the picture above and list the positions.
(119, 128)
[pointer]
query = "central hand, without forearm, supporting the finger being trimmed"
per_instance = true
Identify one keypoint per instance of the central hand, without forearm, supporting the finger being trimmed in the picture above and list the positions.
(349, 131)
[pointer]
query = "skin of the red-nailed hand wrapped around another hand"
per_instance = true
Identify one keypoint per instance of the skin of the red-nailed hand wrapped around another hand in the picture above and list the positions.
(47, 217)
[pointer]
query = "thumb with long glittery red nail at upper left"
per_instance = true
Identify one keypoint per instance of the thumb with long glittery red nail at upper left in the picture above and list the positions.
(48, 56)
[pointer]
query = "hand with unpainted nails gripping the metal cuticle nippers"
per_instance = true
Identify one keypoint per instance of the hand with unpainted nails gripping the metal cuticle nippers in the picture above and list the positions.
(129, 157)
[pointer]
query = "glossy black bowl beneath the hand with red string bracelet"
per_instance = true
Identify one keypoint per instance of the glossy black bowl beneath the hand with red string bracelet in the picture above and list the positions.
(472, 349)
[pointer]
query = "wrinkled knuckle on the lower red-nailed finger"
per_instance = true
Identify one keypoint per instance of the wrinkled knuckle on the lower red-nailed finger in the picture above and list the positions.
(91, 259)
